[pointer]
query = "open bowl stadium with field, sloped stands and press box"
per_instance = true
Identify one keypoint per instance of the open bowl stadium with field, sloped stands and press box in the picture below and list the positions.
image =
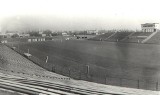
(116, 62)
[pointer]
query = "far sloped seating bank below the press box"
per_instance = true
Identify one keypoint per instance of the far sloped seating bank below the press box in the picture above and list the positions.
(129, 37)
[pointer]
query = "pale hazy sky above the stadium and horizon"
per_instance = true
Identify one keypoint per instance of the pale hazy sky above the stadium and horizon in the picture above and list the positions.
(77, 14)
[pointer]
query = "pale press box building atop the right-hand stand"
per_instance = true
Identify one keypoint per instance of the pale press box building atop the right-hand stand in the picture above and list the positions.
(150, 27)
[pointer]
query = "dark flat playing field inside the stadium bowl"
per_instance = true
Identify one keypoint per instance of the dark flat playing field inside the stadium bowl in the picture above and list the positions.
(123, 64)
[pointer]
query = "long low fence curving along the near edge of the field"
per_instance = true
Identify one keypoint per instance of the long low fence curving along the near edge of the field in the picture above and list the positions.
(87, 72)
